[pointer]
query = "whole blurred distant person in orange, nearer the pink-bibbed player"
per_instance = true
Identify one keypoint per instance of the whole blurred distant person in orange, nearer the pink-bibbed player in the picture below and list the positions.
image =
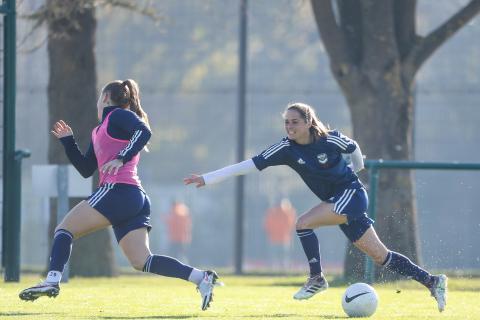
(179, 225)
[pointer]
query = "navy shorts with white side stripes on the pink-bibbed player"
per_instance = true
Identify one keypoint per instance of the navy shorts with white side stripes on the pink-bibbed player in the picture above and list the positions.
(126, 206)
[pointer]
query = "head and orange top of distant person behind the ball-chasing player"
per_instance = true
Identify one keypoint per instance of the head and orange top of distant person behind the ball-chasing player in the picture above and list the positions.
(280, 223)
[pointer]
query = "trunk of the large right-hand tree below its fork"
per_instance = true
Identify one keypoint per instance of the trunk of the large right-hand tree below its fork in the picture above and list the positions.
(382, 121)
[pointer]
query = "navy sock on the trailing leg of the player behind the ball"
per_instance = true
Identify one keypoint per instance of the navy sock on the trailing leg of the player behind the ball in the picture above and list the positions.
(400, 264)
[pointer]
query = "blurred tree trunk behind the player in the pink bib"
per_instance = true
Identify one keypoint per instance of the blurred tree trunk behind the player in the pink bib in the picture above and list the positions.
(72, 97)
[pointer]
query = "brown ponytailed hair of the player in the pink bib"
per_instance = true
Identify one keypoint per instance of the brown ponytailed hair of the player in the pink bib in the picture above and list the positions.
(126, 94)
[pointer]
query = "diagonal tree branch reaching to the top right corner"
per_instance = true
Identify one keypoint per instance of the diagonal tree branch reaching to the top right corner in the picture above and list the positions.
(426, 46)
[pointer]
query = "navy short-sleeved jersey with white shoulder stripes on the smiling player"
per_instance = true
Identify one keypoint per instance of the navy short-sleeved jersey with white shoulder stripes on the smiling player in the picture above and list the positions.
(320, 164)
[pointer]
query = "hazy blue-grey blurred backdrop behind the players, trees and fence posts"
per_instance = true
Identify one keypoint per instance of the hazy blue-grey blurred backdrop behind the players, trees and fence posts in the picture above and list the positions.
(187, 67)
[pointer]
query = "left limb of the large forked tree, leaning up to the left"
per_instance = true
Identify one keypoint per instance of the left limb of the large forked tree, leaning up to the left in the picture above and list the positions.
(332, 36)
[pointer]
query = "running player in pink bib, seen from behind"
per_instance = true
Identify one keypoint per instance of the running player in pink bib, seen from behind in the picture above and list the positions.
(120, 200)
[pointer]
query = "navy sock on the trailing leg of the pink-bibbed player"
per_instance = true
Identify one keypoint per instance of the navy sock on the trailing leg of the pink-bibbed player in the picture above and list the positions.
(167, 266)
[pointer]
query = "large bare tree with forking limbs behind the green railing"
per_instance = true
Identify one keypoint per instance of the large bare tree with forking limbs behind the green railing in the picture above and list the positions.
(375, 53)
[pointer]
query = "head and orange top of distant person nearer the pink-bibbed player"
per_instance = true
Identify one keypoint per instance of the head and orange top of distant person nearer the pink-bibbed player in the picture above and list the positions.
(179, 224)
